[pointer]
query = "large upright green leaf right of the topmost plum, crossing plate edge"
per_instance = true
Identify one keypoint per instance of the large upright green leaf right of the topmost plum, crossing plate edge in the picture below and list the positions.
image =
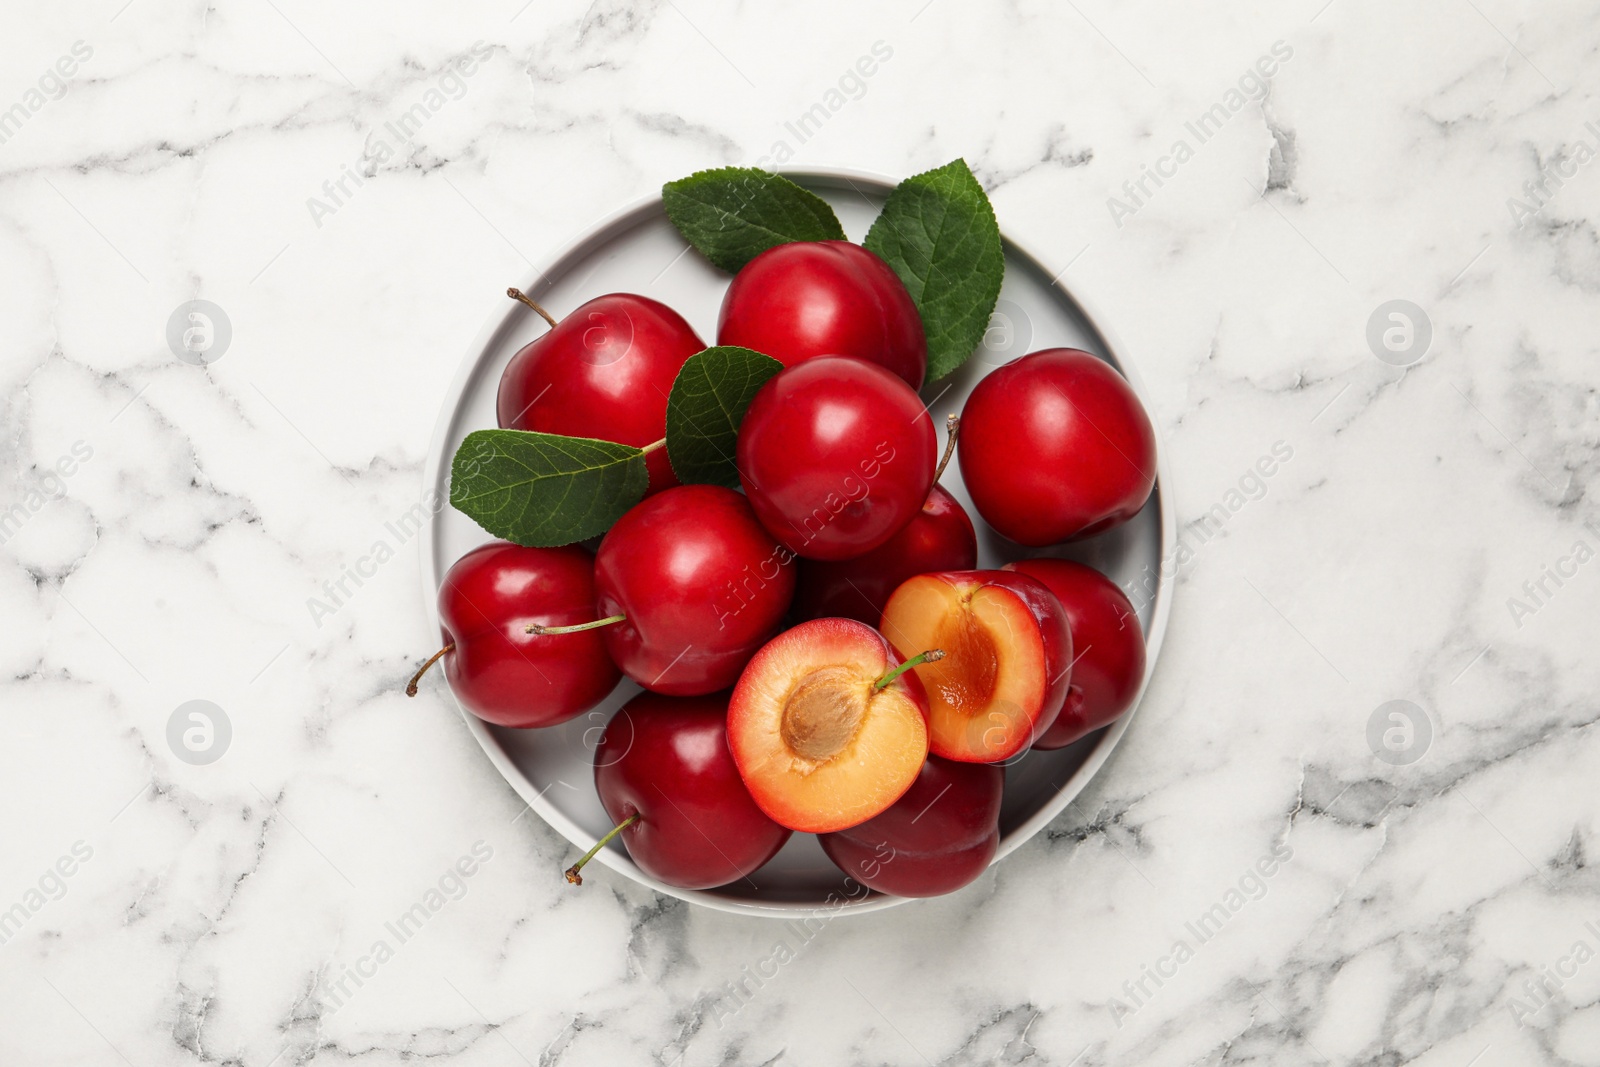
(940, 234)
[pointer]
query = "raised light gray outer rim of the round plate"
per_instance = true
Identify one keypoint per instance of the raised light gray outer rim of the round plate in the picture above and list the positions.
(534, 286)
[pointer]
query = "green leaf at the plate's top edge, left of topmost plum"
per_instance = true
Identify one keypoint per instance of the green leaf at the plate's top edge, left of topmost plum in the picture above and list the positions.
(735, 214)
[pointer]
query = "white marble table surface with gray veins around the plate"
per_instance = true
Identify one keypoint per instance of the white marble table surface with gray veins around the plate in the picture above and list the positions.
(1426, 535)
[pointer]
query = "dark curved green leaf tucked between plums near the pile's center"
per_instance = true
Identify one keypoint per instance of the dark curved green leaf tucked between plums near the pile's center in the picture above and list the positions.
(705, 412)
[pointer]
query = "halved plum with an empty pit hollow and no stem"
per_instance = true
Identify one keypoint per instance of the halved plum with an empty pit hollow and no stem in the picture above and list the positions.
(1007, 660)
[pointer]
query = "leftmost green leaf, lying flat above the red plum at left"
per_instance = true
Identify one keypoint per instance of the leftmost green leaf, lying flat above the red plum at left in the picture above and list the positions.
(545, 490)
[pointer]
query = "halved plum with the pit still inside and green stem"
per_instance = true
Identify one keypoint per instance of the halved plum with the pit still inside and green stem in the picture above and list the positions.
(825, 730)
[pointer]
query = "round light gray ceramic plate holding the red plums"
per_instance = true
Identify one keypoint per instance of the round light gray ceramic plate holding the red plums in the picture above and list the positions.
(638, 250)
